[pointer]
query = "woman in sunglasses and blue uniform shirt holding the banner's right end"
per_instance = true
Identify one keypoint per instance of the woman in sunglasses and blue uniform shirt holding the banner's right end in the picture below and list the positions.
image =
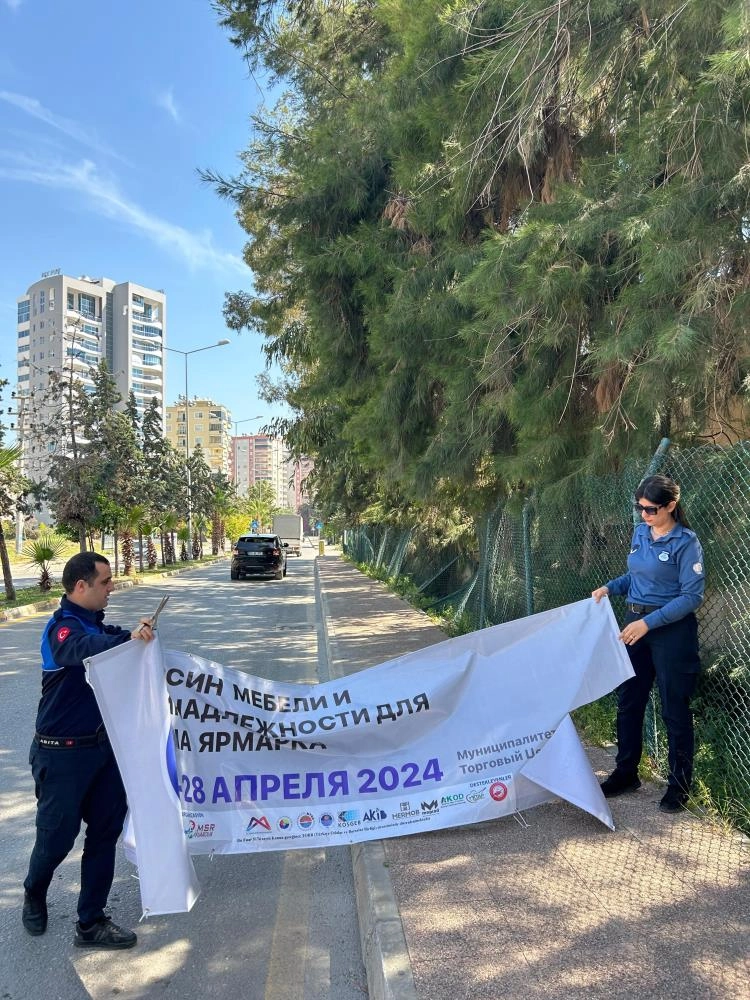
(664, 585)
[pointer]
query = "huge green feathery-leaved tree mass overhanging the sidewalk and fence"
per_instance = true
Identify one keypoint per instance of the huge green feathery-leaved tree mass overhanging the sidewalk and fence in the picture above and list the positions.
(494, 244)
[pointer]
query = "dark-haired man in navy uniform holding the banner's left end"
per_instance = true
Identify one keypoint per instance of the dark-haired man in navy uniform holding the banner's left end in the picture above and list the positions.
(75, 773)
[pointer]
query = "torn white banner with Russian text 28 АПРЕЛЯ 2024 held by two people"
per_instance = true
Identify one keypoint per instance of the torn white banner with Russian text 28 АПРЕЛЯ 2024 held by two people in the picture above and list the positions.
(467, 730)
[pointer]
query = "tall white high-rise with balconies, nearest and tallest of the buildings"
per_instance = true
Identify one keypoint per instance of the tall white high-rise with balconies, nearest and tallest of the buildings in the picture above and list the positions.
(67, 326)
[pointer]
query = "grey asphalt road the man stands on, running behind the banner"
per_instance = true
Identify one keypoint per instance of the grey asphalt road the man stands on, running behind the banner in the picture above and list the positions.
(272, 926)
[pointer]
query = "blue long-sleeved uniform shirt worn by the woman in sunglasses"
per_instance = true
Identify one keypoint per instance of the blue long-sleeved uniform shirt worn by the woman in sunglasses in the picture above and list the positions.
(666, 573)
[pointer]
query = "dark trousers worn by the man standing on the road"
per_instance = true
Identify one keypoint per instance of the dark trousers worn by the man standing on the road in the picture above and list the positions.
(75, 785)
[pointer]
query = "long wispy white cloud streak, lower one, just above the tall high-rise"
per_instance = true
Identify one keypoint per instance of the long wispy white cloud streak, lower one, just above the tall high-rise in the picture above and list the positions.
(103, 196)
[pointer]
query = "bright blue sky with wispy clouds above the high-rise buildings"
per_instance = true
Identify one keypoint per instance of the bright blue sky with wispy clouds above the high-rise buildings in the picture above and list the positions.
(107, 109)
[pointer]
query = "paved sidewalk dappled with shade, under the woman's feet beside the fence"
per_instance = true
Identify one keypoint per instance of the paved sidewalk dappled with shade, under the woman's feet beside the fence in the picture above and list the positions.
(547, 904)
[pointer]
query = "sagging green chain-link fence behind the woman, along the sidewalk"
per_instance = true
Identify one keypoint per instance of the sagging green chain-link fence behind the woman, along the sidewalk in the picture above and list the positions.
(556, 546)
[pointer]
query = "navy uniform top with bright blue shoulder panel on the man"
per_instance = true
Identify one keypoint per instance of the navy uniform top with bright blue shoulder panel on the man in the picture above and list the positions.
(68, 706)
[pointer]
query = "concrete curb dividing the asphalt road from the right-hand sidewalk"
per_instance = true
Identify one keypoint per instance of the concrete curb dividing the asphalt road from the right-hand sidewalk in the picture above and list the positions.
(381, 933)
